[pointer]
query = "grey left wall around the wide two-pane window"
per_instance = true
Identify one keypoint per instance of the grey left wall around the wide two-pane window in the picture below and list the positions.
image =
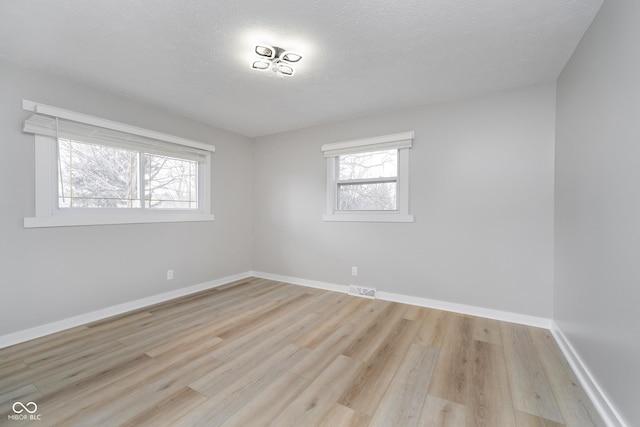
(52, 274)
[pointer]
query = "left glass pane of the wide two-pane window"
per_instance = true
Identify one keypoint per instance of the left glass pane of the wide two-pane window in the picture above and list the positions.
(94, 176)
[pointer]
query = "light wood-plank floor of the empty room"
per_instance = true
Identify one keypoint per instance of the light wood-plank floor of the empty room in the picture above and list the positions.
(258, 352)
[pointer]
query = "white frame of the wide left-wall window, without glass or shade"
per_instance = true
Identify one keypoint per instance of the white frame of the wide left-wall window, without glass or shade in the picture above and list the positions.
(47, 213)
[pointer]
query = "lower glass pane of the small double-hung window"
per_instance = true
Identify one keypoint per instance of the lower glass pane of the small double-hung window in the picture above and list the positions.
(367, 197)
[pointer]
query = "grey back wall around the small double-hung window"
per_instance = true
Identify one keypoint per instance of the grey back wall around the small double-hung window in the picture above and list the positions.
(481, 190)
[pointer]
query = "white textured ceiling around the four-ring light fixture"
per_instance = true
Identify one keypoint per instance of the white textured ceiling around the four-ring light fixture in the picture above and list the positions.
(361, 57)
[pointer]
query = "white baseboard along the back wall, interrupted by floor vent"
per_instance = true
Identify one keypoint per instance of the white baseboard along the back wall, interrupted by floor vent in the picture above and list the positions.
(505, 316)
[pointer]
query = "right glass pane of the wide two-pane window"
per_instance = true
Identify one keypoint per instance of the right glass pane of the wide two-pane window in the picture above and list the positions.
(170, 183)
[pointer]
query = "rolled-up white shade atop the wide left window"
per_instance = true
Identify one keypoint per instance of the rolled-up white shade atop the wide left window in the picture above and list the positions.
(61, 128)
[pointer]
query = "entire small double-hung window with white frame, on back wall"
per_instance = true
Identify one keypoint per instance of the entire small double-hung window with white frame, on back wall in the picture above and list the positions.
(367, 180)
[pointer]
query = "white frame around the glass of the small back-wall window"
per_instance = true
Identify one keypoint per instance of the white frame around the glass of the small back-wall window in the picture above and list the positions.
(402, 142)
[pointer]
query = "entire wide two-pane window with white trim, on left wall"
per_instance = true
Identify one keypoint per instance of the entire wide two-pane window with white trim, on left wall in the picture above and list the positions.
(94, 171)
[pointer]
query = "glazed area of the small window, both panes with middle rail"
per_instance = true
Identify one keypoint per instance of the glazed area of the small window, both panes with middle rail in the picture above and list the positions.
(367, 181)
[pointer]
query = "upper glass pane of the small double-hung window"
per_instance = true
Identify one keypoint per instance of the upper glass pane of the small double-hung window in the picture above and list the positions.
(373, 164)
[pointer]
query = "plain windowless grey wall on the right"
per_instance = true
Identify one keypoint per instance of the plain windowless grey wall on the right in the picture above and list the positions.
(597, 277)
